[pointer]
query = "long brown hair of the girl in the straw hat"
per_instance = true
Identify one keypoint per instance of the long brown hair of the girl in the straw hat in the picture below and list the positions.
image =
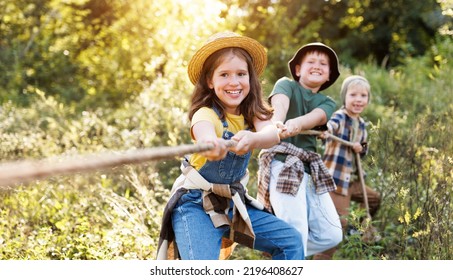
(254, 105)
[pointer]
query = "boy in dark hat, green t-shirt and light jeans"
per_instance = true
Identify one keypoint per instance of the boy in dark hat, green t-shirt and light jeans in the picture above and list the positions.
(293, 181)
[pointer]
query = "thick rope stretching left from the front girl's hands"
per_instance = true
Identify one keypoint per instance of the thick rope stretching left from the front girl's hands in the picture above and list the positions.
(28, 170)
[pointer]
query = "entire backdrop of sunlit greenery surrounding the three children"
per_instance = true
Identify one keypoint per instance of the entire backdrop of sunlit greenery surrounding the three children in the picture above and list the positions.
(93, 91)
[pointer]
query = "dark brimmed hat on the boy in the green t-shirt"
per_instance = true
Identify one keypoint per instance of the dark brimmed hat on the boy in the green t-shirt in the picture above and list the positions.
(333, 60)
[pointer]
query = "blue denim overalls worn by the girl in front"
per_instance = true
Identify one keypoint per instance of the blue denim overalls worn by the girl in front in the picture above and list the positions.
(196, 236)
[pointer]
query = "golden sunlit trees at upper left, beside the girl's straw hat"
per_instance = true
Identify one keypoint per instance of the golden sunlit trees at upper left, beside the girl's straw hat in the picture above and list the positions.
(71, 49)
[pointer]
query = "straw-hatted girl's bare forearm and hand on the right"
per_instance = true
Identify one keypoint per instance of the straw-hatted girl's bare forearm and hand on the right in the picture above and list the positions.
(266, 136)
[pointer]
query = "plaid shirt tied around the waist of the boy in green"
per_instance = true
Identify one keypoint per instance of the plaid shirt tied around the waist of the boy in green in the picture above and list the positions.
(292, 173)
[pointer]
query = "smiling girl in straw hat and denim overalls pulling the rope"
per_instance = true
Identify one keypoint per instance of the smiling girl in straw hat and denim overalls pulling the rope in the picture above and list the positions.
(209, 209)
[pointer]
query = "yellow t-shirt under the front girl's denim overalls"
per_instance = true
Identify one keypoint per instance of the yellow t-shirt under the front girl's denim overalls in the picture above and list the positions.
(235, 124)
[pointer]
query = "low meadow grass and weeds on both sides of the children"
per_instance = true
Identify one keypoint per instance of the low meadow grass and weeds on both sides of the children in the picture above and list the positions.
(116, 214)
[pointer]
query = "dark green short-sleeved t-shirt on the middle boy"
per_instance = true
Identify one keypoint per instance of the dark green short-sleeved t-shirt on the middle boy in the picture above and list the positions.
(301, 102)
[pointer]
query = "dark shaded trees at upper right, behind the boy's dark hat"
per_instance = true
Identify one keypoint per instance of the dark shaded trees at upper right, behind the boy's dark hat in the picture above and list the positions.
(385, 32)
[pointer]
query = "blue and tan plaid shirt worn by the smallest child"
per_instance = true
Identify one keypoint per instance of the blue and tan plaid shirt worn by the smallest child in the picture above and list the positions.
(338, 158)
